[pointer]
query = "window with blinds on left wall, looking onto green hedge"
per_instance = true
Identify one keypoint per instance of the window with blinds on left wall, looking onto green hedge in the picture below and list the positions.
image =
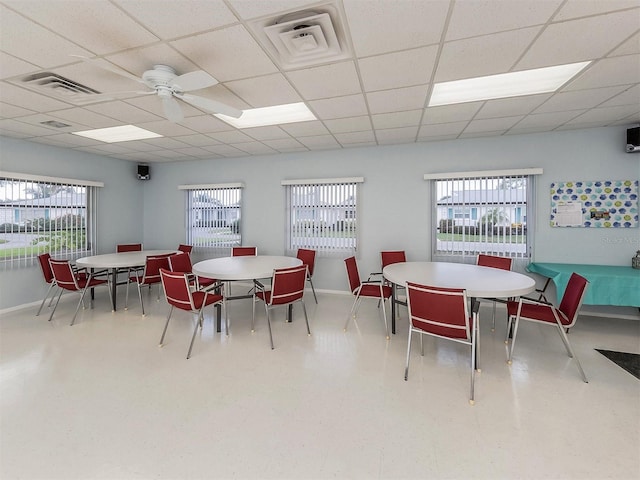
(44, 214)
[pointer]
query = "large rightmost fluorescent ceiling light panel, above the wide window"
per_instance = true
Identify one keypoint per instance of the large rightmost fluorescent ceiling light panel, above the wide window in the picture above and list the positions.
(516, 84)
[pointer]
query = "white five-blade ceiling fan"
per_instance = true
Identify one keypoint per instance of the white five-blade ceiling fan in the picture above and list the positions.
(170, 87)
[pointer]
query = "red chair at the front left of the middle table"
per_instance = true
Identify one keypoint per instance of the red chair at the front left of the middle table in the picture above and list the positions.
(179, 295)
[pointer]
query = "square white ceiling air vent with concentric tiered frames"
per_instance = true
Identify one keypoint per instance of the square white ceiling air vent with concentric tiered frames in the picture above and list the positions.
(305, 38)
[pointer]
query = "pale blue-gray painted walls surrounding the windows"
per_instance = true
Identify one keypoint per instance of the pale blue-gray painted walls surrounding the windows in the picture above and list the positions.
(395, 211)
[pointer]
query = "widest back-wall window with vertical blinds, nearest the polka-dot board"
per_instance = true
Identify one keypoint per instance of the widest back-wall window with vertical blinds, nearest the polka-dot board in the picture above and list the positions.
(482, 212)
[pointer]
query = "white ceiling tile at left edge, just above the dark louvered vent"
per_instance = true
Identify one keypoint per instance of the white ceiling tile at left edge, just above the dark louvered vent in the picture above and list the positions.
(40, 46)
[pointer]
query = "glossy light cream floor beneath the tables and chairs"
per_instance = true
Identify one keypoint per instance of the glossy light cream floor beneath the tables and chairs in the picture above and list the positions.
(101, 400)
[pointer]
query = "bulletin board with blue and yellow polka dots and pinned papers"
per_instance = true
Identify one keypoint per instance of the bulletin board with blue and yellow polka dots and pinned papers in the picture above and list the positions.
(597, 203)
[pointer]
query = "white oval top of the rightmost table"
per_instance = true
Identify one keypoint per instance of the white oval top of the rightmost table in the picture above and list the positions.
(485, 282)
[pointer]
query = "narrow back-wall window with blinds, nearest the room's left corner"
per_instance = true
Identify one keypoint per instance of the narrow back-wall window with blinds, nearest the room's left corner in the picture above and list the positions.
(214, 214)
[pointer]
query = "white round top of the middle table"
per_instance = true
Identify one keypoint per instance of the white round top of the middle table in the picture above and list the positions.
(243, 268)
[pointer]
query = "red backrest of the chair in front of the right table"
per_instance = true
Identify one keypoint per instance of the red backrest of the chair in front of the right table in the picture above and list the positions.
(439, 311)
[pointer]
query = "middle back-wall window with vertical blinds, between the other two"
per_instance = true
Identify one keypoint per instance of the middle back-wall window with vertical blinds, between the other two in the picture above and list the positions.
(322, 215)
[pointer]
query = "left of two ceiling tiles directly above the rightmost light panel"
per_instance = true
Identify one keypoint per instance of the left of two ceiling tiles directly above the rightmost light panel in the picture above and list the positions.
(486, 55)
